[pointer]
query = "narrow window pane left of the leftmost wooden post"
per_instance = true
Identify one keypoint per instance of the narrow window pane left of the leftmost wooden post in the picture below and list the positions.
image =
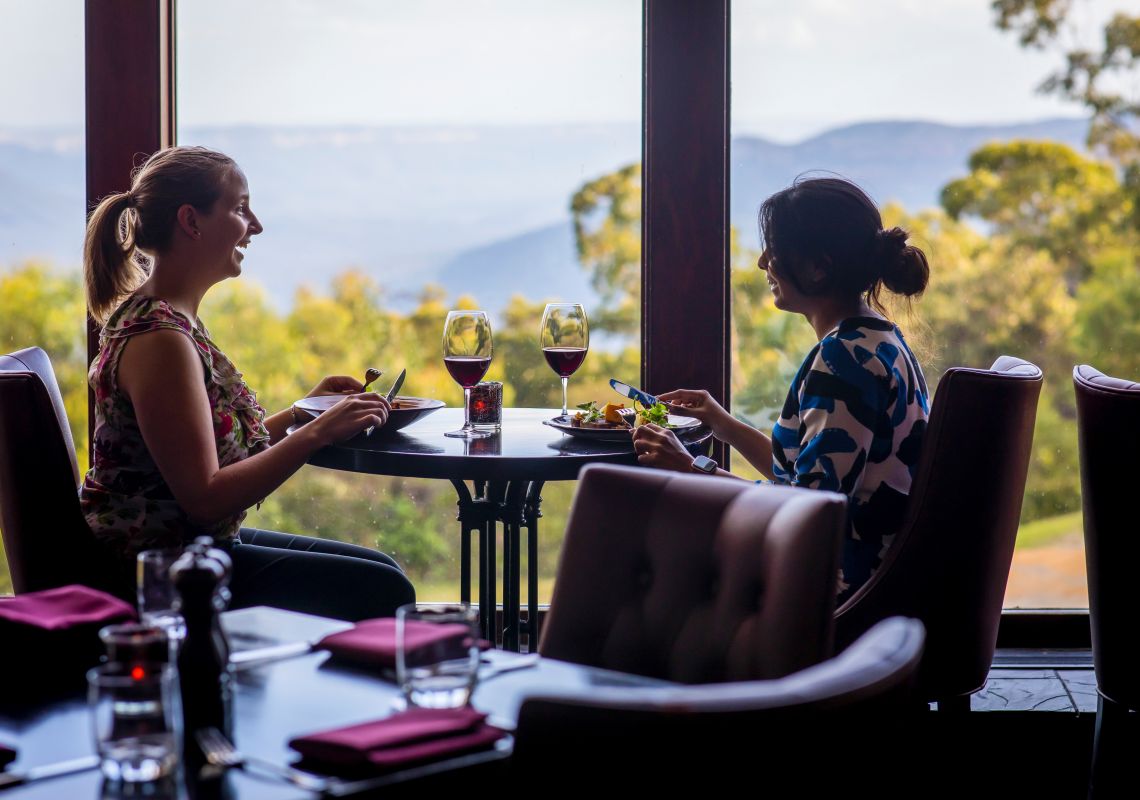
(42, 198)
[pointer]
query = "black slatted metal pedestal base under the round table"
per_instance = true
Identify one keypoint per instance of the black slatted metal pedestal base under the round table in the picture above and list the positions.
(517, 505)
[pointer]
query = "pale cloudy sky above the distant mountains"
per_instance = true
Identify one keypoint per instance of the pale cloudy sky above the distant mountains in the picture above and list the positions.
(797, 68)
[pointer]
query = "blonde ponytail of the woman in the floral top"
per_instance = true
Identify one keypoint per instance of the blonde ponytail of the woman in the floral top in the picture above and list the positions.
(111, 270)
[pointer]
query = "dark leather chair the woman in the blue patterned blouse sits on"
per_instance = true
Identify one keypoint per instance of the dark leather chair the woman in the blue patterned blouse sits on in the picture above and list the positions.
(950, 561)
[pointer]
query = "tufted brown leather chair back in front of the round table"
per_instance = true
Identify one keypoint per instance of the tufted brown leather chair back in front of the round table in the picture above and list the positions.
(695, 579)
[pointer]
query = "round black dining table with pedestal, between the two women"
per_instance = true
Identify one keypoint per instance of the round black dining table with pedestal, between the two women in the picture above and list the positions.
(508, 472)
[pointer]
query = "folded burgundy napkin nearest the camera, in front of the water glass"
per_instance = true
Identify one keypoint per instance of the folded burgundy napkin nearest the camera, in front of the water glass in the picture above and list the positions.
(410, 737)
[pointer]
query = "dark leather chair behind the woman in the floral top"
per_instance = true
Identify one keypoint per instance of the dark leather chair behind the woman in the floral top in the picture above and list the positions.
(47, 541)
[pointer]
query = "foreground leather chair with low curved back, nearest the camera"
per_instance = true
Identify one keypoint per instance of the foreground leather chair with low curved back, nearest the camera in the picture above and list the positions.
(820, 730)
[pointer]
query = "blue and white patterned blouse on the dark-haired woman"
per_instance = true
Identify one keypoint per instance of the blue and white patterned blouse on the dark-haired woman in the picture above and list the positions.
(853, 423)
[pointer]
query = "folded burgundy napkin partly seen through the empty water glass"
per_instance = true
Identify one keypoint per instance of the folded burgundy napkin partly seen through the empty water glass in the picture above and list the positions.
(372, 643)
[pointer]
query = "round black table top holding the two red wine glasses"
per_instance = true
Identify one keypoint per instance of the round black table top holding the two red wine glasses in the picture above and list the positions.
(525, 450)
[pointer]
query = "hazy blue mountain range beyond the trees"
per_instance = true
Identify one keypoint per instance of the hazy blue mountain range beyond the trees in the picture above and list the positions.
(481, 210)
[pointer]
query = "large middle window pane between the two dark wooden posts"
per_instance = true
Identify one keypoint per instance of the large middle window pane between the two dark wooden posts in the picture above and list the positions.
(408, 159)
